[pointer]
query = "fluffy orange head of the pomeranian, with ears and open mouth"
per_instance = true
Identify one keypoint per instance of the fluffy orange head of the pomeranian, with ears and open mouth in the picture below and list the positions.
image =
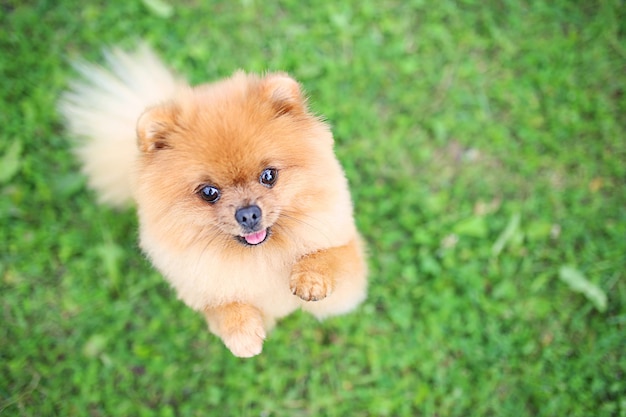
(239, 162)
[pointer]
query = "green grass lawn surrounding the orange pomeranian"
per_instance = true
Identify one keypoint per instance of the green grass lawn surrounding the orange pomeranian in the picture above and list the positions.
(486, 147)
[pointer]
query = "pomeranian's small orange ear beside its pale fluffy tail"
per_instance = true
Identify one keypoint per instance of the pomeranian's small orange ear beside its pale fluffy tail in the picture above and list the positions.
(155, 126)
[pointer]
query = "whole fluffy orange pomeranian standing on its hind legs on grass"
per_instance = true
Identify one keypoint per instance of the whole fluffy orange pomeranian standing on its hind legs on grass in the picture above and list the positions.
(242, 204)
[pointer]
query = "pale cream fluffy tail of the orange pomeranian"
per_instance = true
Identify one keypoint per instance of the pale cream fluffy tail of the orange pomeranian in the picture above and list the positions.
(101, 111)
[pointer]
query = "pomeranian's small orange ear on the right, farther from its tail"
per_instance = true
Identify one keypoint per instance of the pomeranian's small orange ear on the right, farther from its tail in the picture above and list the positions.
(284, 93)
